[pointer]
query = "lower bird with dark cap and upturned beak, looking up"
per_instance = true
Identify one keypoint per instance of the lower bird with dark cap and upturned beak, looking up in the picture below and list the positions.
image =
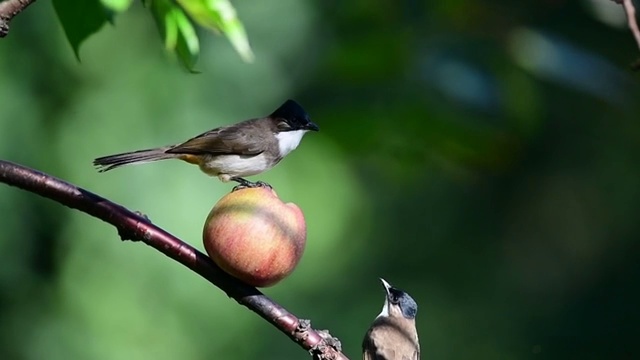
(393, 334)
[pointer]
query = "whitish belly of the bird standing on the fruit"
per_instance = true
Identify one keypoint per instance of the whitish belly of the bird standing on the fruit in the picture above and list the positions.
(236, 165)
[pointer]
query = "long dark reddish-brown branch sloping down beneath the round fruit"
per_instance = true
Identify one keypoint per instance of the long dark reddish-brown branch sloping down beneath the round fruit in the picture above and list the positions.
(137, 228)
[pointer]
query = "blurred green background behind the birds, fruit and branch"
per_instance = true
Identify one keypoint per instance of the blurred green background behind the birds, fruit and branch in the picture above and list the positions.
(481, 155)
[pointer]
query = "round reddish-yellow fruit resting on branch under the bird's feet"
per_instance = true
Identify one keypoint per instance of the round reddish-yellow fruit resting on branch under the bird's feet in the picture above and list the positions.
(254, 236)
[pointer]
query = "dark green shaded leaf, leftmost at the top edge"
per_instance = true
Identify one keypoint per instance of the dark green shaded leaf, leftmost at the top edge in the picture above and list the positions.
(80, 19)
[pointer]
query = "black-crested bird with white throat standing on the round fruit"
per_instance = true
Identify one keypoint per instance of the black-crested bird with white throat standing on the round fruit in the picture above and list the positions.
(231, 152)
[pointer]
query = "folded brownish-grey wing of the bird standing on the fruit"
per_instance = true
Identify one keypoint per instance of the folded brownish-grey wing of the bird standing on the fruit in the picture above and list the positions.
(226, 140)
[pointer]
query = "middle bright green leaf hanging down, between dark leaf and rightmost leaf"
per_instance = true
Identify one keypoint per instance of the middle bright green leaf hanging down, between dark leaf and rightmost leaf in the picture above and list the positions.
(178, 32)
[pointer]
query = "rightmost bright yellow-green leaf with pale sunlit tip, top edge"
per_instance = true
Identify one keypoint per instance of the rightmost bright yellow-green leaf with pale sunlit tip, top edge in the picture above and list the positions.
(219, 15)
